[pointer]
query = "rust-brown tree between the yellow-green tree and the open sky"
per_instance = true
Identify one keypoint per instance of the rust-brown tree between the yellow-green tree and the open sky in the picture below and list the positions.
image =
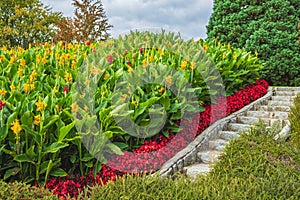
(89, 23)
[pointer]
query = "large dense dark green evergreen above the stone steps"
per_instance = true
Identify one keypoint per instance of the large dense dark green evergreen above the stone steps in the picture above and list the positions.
(267, 27)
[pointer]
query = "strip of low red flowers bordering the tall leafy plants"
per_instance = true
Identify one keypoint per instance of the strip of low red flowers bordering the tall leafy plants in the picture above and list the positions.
(153, 154)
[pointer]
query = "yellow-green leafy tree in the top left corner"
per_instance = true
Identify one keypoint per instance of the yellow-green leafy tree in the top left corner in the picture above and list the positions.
(25, 21)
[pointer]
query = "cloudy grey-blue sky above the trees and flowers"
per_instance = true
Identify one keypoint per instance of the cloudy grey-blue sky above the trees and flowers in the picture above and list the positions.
(189, 17)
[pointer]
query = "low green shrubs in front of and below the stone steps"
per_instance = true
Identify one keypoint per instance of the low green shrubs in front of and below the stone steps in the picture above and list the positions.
(254, 166)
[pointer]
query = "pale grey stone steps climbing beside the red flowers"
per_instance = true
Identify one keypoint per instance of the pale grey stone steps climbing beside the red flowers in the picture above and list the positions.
(272, 110)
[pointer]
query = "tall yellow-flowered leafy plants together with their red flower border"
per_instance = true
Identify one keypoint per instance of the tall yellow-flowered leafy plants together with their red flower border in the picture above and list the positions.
(40, 138)
